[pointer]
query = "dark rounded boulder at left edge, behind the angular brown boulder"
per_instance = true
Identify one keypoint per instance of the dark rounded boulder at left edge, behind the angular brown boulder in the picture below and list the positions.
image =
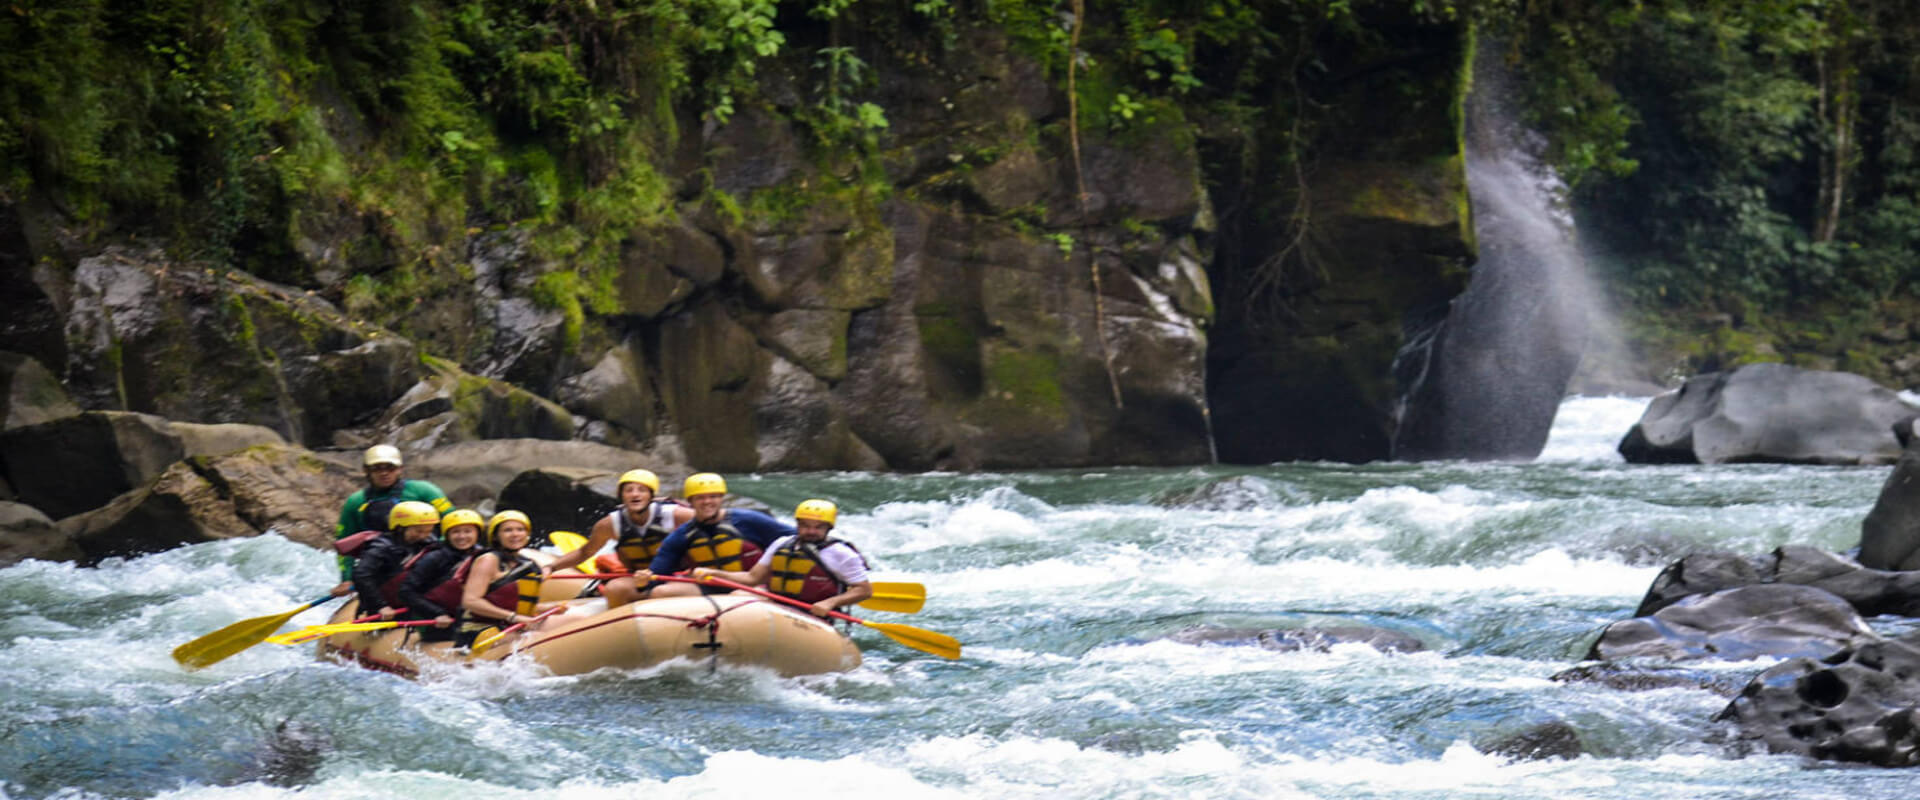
(84, 461)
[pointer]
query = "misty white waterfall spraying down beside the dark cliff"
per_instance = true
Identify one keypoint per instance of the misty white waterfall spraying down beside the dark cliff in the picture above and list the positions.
(1483, 377)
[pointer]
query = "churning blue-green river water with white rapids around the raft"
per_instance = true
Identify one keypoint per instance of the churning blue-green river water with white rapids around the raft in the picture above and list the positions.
(1063, 586)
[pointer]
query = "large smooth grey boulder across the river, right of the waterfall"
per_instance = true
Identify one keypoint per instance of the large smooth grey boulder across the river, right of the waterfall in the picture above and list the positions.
(1769, 413)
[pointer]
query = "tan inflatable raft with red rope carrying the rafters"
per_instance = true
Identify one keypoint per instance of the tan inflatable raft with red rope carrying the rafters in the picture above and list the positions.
(740, 630)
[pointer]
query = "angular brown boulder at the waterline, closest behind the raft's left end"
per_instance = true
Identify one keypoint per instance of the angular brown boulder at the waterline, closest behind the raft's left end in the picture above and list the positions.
(220, 498)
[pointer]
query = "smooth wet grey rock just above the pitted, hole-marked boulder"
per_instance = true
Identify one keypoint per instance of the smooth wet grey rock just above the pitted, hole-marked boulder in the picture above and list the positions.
(1739, 624)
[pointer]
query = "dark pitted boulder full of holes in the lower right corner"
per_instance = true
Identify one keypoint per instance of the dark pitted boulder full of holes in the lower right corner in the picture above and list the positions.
(1856, 705)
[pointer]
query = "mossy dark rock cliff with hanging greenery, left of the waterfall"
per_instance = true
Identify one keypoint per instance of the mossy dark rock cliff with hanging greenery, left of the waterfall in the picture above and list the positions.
(901, 245)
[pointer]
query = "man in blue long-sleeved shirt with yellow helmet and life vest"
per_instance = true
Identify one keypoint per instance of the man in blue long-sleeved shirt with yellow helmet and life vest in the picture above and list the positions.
(717, 538)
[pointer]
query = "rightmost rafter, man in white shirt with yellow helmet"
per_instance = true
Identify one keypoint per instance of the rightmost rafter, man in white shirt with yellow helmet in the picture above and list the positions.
(809, 567)
